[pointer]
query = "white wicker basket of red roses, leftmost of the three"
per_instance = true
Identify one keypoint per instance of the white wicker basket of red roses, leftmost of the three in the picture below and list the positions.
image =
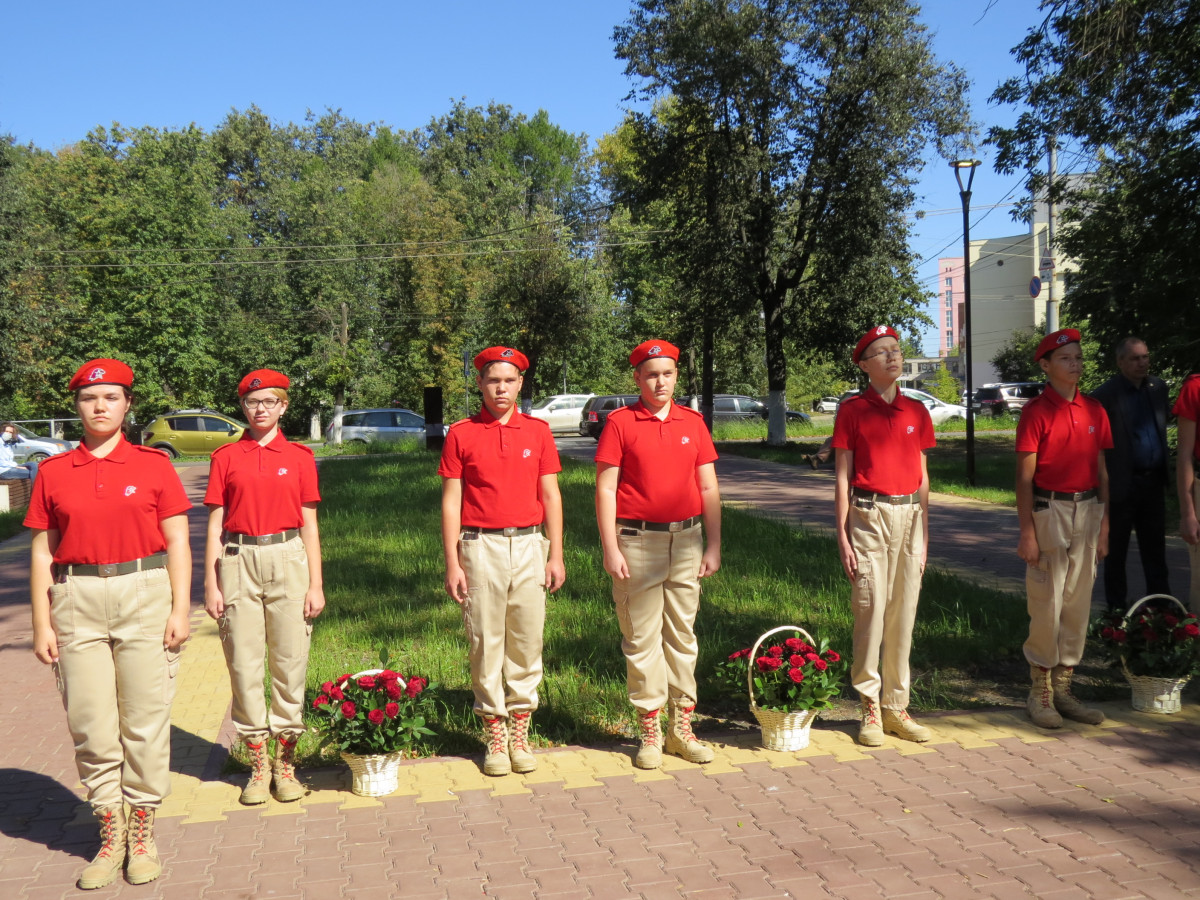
(374, 718)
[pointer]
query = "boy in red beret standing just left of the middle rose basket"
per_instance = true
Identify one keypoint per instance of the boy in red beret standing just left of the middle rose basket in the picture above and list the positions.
(656, 483)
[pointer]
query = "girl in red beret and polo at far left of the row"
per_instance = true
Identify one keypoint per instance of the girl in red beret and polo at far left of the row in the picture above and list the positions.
(111, 578)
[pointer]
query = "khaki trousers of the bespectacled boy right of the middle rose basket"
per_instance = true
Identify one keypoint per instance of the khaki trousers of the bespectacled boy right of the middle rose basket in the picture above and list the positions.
(889, 542)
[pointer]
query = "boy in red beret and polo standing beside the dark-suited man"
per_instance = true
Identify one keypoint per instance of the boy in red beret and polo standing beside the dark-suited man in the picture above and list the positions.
(1063, 506)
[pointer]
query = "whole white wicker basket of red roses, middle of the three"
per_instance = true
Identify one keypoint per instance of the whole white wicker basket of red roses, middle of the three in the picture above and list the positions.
(790, 685)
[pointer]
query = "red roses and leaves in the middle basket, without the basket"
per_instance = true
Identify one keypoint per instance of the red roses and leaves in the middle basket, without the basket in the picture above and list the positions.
(790, 676)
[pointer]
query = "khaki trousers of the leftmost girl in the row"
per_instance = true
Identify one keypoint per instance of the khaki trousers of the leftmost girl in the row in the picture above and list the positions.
(117, 683)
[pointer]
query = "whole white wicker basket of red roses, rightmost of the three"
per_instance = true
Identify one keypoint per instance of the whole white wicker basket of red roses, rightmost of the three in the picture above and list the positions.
(1156, 643)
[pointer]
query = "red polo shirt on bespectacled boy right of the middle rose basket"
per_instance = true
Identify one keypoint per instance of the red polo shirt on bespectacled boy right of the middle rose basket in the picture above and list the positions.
(886, 439)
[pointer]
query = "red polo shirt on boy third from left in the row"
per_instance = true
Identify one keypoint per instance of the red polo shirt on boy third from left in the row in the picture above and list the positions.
(501, 467)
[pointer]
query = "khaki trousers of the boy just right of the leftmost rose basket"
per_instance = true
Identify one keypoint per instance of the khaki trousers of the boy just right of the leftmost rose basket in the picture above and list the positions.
(505, 616)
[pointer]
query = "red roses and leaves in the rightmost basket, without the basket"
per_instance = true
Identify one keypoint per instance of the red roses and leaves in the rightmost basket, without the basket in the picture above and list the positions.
(1161, 640)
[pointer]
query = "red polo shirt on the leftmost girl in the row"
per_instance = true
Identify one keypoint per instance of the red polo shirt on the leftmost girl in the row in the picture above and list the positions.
(106, 511)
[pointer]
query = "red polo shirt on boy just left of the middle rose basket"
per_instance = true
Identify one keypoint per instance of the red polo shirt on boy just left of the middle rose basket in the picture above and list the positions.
(658, 461)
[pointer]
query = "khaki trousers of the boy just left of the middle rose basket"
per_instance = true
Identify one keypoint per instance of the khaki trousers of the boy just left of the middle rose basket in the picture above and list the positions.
(657, 610)
